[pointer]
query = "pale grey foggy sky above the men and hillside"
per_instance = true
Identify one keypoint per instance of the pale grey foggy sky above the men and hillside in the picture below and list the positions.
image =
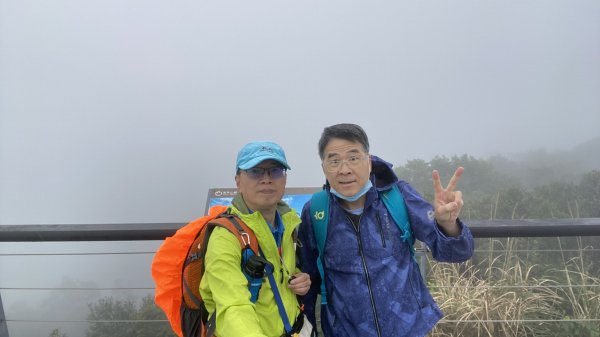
(129, 111)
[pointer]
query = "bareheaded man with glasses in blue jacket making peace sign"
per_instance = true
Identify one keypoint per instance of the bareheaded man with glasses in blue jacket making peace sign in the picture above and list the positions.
(373, 284)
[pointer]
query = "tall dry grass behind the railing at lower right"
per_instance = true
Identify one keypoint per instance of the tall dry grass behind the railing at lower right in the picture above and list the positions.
(504, 295)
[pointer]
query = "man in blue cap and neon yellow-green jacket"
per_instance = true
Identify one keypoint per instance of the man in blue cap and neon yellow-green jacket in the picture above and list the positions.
(261, 175)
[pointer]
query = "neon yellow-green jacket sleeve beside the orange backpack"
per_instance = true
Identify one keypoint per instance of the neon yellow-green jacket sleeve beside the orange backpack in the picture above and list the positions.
(225, 287)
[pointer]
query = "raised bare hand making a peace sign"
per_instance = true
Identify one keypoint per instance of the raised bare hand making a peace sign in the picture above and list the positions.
(447, 202)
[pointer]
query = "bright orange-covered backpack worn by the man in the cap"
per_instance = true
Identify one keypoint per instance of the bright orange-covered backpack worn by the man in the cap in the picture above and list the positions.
(178, 266)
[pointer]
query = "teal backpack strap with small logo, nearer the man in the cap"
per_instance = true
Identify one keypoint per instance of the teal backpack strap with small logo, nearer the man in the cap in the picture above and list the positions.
(319, 214)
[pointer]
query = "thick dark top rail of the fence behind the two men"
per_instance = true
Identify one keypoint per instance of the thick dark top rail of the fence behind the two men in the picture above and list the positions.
(159, 231)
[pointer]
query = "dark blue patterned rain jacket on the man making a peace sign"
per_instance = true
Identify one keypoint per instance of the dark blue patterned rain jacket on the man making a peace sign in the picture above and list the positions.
(374, 286)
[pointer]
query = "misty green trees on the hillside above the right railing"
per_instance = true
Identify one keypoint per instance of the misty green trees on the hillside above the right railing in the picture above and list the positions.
(535, 185)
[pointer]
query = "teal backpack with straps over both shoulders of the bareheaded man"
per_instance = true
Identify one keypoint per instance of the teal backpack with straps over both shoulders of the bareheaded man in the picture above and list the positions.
(319, 210)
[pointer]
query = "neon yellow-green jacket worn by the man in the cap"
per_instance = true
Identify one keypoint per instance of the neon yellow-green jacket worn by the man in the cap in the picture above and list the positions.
(225, 287)
